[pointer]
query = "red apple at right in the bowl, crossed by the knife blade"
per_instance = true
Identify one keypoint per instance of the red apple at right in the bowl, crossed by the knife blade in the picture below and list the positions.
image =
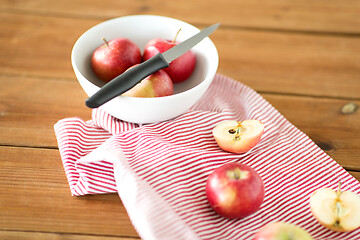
(181, 68)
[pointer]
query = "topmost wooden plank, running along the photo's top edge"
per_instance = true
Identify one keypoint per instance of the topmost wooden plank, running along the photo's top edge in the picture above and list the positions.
(302, 15)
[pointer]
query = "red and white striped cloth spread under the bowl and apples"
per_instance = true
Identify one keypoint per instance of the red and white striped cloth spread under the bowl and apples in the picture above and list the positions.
(159, 170)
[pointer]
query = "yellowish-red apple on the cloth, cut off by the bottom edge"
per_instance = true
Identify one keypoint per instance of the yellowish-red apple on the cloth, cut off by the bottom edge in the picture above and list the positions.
(282, 231)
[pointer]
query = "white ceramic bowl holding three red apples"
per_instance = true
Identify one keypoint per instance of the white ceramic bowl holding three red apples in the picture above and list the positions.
(140, 29)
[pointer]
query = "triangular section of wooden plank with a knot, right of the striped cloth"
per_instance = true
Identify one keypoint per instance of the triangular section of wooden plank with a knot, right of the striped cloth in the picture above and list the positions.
(322, 120)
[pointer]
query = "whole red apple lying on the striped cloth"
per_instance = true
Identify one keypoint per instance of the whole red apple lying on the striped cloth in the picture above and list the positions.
(235, 190)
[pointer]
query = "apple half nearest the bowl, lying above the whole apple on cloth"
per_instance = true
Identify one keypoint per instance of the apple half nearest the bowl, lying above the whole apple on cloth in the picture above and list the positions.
(238, 137)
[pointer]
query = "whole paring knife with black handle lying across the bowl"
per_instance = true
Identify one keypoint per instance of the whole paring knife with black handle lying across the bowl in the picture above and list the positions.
(131, 77)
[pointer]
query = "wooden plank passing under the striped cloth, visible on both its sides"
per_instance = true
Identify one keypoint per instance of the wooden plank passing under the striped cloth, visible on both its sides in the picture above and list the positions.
(26, 120)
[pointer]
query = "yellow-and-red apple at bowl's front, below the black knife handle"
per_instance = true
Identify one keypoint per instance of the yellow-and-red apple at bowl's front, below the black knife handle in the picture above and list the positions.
(157, 84)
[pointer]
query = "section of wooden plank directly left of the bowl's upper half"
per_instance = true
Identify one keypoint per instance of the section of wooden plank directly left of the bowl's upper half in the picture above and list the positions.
(37, 45)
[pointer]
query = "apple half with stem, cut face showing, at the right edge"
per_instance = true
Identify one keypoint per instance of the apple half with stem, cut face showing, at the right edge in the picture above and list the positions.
(336, 210)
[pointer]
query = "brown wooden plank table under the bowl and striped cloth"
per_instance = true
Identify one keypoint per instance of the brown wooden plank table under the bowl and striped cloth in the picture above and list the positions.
(303, 56)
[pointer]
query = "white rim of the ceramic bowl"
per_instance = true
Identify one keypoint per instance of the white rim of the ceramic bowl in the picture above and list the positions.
(209, 74)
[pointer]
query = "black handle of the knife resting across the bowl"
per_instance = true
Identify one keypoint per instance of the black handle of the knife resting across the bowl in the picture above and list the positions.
(126, 80)
